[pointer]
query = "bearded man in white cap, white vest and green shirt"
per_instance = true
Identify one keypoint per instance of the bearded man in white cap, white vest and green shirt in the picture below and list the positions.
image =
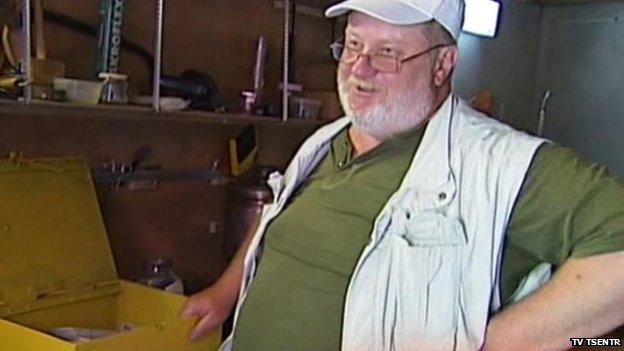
(416, 223)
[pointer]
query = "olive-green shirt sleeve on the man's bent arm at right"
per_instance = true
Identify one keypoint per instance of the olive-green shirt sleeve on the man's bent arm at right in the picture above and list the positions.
(567, 208)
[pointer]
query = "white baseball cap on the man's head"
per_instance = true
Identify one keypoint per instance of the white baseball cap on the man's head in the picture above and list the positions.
(448, 13)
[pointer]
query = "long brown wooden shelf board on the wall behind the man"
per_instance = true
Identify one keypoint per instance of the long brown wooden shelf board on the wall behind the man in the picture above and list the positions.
(144, 113)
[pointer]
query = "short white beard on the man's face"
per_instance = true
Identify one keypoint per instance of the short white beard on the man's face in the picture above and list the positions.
(398, 114)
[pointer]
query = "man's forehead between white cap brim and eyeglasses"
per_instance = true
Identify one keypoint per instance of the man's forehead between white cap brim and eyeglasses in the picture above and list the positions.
(373, 28)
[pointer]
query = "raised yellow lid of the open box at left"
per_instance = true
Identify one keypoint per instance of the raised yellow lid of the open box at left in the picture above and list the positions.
(53, 244)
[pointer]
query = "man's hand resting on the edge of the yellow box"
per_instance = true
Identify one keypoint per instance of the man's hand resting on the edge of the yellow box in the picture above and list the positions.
(212, 306)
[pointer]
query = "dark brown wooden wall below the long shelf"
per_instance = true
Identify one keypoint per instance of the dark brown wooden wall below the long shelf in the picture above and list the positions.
(182, 220)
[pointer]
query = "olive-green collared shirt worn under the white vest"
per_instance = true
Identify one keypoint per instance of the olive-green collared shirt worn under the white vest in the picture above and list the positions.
(567, 208)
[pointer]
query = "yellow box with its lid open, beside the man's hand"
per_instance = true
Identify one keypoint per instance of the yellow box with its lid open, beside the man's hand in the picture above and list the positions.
(57, 269)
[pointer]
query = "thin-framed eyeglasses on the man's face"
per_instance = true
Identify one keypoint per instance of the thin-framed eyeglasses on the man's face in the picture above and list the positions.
(380, 62)
